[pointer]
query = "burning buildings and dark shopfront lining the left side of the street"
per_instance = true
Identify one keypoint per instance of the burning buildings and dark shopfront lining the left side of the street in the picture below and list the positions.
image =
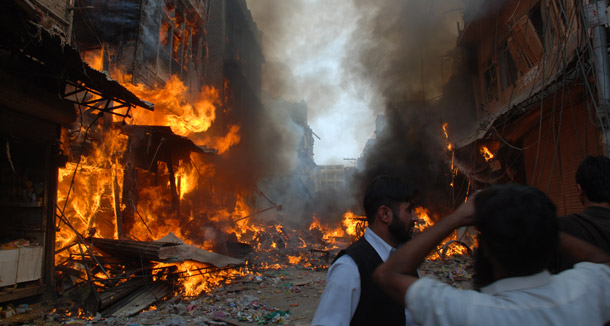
(77, 168)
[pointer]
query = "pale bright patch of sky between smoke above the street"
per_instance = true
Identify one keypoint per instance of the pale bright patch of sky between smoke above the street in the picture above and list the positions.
(305, 45)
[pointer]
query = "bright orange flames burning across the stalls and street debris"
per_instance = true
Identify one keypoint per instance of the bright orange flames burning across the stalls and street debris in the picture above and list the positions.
(92, 190)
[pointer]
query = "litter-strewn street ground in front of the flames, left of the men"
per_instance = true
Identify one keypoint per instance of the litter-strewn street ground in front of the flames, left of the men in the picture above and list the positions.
(274, 297)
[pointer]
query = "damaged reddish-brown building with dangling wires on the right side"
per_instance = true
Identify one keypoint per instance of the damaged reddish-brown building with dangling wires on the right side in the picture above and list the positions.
(539, 84)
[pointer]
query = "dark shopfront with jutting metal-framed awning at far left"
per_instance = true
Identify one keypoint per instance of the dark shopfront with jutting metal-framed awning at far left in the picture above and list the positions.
(43, 77)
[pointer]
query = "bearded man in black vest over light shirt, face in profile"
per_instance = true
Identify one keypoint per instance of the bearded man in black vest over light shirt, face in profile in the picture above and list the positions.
(351, 297)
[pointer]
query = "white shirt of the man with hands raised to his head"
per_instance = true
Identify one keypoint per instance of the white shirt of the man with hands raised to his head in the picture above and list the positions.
(579, 296)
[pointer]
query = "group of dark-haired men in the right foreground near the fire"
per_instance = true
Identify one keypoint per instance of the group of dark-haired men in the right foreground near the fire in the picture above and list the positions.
(531, 267)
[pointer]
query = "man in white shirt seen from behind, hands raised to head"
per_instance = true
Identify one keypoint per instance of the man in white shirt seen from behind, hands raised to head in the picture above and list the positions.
(518, 237)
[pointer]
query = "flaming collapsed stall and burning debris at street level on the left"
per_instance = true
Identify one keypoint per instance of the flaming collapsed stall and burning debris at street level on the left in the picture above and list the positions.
(127, 259)
